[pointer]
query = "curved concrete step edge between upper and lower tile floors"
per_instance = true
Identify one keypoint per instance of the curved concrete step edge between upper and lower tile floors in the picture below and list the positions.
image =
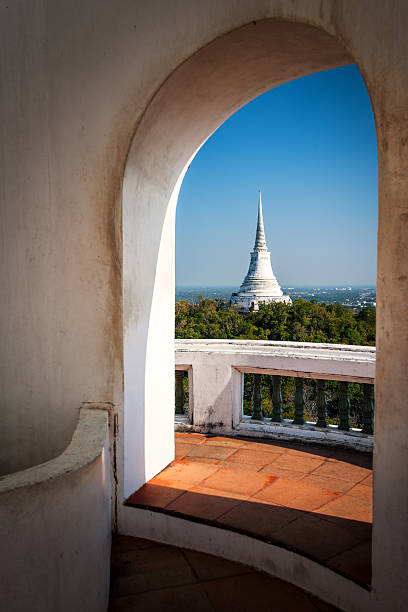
(287, 565)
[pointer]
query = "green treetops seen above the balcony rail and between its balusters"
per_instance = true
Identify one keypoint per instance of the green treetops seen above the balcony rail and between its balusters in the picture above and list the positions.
(303, 321)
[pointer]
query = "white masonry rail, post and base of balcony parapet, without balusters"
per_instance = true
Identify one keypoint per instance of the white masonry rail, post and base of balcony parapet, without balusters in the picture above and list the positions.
(216, 370)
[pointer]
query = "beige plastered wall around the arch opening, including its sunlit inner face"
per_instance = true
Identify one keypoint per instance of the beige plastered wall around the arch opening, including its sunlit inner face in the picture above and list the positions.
(79, 115)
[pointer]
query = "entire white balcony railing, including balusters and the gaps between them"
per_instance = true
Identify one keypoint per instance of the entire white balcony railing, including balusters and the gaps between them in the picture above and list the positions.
(287, 390)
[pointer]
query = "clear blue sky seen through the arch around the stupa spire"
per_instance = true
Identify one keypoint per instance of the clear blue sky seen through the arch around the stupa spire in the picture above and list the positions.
(310, 146)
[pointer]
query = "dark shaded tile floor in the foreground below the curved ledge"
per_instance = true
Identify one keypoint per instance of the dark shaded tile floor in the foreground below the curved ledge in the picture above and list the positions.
(150, 576)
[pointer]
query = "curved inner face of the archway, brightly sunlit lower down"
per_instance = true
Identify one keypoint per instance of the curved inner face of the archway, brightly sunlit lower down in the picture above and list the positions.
(200, 95)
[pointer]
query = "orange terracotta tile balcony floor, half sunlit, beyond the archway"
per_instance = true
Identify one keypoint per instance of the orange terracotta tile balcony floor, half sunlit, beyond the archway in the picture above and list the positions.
(314, 500)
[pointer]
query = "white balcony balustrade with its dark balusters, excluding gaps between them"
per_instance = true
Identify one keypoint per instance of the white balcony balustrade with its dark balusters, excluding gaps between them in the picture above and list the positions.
(215, 371)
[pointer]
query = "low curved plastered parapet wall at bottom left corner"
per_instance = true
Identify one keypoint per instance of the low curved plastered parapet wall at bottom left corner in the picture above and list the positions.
(55, 527)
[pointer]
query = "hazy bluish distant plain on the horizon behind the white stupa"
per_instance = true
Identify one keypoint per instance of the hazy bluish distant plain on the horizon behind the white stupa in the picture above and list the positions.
(351, 297)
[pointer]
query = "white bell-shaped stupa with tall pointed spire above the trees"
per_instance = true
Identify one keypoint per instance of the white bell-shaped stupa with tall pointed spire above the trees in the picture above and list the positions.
(260, 284)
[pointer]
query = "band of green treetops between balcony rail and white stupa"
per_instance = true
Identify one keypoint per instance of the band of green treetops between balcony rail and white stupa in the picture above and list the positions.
(303, 321)
